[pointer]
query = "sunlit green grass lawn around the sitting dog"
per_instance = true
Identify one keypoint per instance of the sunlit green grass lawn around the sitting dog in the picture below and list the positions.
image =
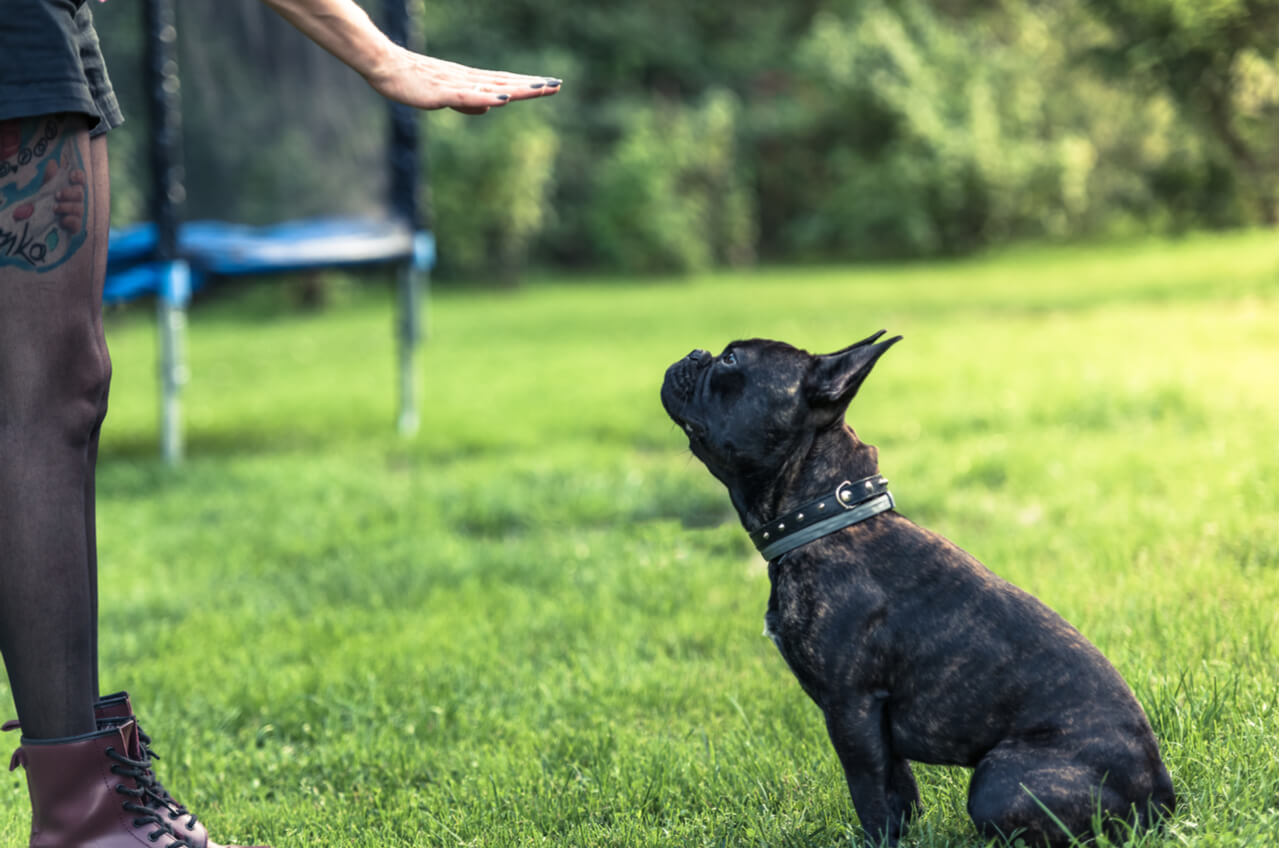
(540, 624)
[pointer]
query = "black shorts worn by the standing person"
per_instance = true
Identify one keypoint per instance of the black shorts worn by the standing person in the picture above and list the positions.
(51, 62)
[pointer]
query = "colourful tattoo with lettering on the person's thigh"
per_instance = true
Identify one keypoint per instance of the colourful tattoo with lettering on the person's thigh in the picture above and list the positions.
(44, 194)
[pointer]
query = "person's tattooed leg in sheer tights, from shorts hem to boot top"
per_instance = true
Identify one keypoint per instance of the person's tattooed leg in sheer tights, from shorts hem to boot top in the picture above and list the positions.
(54, 373)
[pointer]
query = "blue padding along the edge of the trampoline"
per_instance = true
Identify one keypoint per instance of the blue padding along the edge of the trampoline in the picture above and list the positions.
(218, 248)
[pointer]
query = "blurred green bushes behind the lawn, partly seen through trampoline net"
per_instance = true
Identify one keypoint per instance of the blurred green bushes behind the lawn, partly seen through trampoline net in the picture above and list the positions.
(691, 136)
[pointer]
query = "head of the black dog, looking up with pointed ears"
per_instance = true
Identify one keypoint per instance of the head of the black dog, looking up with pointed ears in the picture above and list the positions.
(756, 408)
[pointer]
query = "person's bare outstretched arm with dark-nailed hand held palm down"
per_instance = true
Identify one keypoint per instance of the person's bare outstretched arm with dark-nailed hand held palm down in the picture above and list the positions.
(345, 30)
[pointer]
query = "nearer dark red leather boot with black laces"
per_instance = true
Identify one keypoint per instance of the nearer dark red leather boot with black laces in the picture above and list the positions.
(93, 791)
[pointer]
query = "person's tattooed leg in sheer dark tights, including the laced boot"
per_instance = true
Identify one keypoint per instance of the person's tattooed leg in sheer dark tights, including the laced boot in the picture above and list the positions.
(54, 376)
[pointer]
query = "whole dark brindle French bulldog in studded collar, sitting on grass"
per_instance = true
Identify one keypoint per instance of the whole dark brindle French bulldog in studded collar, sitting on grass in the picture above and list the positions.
(912, 649)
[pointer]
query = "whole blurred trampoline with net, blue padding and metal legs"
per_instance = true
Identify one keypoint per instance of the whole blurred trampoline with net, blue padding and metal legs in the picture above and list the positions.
(168, 258)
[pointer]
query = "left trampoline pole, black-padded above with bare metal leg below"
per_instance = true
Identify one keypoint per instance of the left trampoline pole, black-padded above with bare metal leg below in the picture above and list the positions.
(167, 198)
